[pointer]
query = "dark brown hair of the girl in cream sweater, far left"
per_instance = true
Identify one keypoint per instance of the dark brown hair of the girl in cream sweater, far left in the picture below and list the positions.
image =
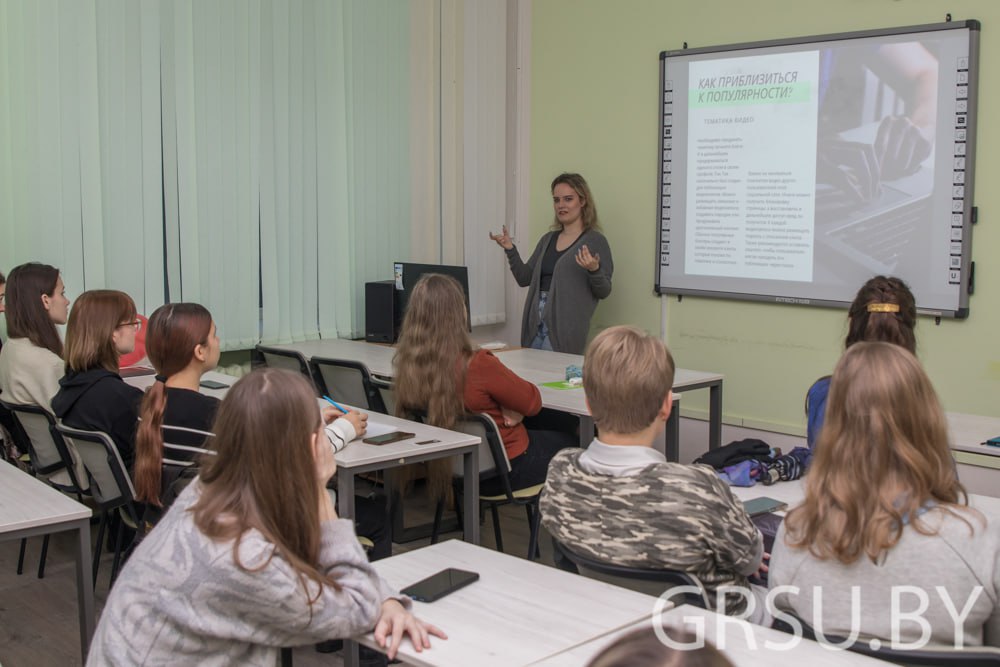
(26, 315)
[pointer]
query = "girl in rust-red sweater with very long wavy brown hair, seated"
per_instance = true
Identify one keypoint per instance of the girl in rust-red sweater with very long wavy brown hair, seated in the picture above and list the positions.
(437, 371)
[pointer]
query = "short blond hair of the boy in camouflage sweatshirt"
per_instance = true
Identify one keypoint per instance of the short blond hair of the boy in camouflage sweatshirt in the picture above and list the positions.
(626, 375)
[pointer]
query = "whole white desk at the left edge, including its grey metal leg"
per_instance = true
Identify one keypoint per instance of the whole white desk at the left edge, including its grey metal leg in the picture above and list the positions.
(29, 507)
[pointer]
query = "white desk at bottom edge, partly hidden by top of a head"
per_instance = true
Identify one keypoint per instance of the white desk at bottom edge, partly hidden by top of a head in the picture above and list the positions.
(745, 644)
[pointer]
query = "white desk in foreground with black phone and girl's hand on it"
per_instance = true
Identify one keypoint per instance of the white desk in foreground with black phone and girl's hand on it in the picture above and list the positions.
(517, 613)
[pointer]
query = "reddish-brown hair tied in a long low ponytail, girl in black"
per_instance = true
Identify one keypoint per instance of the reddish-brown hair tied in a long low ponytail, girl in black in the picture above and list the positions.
(173, 332)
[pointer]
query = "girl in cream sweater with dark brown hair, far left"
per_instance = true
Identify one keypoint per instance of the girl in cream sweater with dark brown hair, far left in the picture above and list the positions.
(31, 361)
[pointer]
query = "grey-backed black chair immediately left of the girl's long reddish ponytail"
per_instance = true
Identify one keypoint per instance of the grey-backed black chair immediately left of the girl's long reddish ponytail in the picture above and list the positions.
(111, 488)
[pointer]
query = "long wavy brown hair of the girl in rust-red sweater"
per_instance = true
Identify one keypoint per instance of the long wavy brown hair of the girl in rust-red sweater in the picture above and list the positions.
(431, 360)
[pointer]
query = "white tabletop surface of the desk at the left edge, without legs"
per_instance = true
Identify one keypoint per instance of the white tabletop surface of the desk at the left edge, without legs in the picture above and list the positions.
(26, 502)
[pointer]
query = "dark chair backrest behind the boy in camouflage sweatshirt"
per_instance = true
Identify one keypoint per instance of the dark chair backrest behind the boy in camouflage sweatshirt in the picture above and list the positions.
(645, 580)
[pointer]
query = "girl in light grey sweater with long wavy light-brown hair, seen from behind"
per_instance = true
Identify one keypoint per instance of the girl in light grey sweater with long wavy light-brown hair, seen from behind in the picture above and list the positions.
(884, 510)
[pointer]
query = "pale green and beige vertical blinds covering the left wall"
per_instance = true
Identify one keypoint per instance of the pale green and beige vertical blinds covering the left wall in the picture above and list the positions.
(262, 157)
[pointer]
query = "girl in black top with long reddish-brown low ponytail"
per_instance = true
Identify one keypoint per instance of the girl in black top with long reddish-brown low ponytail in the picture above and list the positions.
(182, 344)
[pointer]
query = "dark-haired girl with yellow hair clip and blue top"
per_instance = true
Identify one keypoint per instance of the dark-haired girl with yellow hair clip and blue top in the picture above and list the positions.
(883, 310)
